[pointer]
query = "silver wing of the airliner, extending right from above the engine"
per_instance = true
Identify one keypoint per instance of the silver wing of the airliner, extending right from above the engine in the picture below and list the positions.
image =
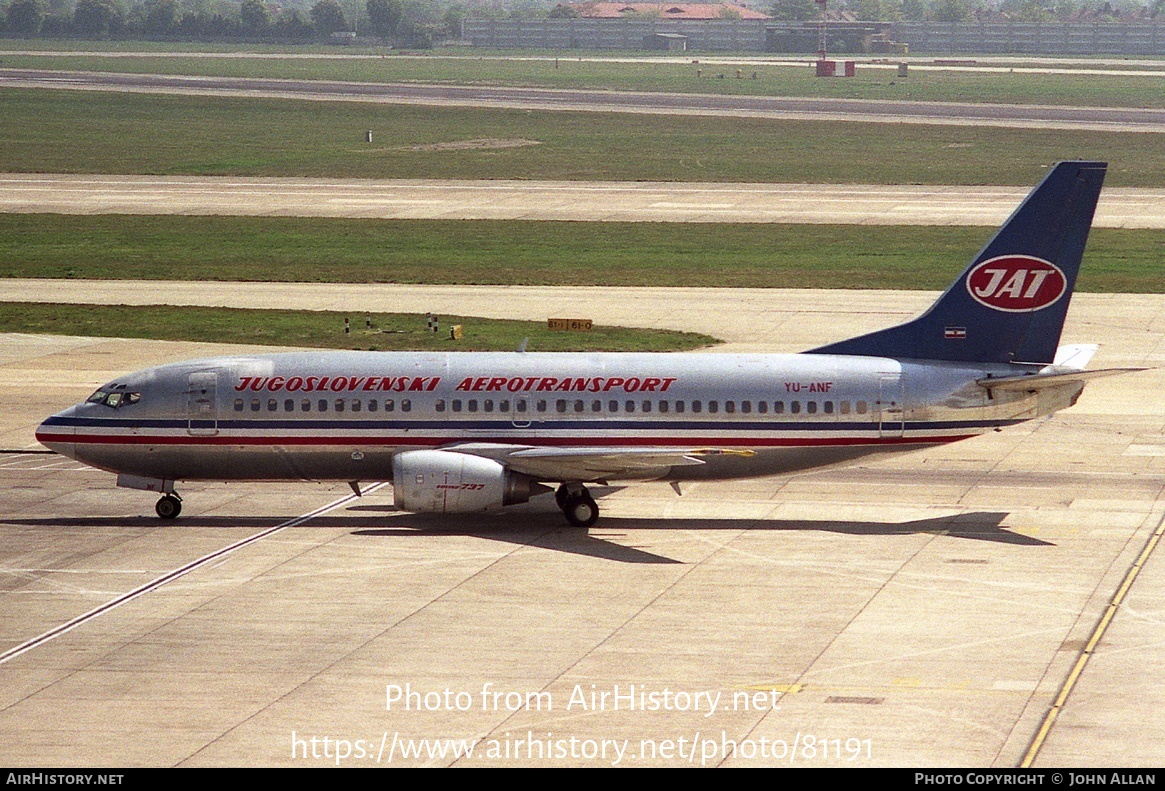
(589, 464)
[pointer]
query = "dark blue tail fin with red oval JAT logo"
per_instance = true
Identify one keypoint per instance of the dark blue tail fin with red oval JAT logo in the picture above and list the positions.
(1009, 305)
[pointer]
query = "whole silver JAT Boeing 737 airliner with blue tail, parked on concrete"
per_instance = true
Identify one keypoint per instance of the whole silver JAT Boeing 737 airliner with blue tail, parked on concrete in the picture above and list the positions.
(469, 433)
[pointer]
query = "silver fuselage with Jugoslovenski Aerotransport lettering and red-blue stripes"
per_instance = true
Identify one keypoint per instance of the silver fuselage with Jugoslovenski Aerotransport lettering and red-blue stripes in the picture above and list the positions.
(344, 415)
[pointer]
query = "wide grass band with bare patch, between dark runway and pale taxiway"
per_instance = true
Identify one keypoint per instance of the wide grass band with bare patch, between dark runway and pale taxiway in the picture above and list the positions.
(119, 133)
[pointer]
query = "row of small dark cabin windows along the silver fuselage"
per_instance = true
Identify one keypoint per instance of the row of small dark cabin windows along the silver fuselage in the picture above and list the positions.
(563, 406)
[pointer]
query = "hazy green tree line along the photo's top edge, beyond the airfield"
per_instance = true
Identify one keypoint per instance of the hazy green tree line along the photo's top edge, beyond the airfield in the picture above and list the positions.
(420, 24)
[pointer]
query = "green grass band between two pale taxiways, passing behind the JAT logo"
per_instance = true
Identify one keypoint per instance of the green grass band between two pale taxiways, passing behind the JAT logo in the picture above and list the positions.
(532, 253)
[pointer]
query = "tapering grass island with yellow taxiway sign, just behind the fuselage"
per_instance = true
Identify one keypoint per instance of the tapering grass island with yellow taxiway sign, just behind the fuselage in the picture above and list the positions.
(326, 330)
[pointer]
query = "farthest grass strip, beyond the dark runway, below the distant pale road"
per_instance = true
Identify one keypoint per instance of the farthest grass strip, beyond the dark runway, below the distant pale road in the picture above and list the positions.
(568, 72)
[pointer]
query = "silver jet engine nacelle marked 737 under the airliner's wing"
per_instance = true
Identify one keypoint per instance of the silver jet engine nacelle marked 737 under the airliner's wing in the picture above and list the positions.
(450, 483)
